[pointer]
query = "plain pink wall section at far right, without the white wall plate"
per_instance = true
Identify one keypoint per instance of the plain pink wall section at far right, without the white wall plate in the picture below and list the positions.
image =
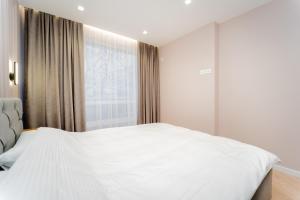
(259, 79)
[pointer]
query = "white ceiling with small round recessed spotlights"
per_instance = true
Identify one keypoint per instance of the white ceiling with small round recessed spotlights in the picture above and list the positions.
(165, 20)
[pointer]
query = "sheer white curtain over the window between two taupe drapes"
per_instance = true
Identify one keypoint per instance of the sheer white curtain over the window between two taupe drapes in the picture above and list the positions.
(110, 79)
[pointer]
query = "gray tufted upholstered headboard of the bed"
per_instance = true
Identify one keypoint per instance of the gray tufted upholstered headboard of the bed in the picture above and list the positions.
(11, 125)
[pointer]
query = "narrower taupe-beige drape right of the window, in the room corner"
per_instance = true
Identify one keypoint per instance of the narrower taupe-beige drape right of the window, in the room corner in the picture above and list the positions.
(149, 94)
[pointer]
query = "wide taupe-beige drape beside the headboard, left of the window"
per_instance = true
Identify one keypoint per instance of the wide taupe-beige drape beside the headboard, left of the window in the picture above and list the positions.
(54, 72)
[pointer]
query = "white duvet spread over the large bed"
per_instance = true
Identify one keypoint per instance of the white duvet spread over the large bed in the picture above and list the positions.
(146, 162)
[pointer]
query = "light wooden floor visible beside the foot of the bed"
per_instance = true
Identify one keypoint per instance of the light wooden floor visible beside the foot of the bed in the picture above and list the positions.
(285, 187)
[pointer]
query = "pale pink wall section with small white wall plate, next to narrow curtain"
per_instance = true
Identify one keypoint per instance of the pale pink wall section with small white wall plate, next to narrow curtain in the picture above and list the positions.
(188, 99)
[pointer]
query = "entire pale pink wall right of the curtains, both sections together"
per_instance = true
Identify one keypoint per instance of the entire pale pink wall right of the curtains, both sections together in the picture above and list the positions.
(257, 79)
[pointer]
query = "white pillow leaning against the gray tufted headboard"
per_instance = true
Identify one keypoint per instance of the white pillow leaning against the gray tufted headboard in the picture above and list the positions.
(8, 158)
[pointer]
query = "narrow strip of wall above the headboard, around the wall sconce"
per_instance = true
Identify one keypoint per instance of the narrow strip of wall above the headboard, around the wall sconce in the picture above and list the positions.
(9, 44)
